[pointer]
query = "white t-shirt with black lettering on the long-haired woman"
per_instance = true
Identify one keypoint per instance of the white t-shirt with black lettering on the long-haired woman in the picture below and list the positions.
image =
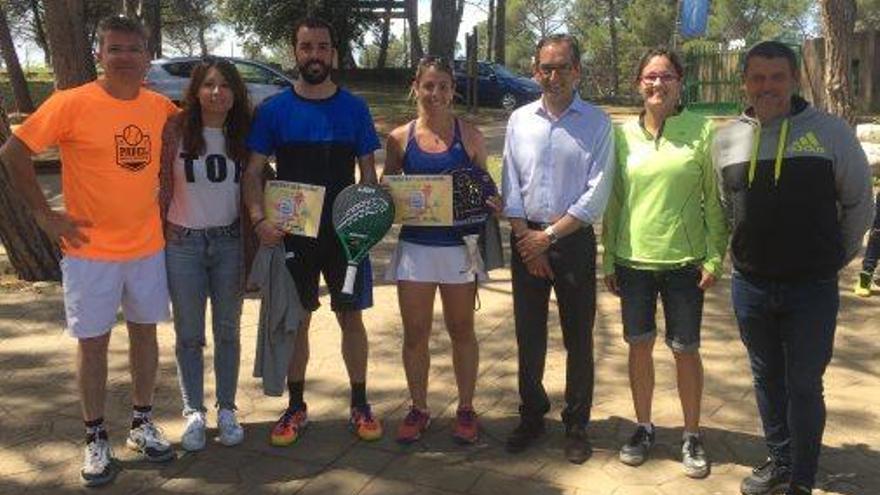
(206, 187)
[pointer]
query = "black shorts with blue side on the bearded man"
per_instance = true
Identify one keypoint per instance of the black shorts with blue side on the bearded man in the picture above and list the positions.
(307, 258)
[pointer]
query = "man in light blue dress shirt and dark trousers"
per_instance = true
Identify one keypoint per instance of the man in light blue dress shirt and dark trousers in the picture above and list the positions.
(558, 167)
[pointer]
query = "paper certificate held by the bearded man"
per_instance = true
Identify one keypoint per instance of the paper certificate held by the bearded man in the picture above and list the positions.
(295, 208)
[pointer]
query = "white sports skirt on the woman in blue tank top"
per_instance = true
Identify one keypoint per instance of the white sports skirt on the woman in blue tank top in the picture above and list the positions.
(439, 264)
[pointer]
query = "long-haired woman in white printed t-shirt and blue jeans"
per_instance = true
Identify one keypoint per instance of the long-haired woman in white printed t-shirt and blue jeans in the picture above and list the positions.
(202, 158)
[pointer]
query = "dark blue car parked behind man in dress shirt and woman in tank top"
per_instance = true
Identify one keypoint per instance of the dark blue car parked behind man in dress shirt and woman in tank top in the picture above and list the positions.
(497, 85)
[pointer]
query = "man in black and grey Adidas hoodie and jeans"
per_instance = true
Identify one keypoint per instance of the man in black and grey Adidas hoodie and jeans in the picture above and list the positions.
(797, 186)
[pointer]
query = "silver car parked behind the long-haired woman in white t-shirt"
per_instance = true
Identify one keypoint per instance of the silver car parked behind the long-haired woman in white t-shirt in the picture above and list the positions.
(170, 76)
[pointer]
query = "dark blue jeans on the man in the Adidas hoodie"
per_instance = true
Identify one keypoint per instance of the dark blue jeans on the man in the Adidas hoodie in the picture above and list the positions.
(788, 330)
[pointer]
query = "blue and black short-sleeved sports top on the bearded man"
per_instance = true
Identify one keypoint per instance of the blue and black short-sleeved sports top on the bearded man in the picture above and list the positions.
(315, 141)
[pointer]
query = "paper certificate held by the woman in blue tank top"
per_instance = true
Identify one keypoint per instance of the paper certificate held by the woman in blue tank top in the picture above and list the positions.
(424, 200)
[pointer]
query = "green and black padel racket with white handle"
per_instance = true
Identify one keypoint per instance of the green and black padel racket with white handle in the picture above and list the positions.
(362, 214)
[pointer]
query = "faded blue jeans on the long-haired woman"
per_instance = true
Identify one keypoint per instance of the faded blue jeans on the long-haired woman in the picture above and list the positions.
(201, 264)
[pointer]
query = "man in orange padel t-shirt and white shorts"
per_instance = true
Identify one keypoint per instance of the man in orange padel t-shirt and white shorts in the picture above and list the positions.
(109, 133)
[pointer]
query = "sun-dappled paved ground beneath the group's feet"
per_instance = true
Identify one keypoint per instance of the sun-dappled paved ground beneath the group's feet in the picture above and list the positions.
(40, 428)
